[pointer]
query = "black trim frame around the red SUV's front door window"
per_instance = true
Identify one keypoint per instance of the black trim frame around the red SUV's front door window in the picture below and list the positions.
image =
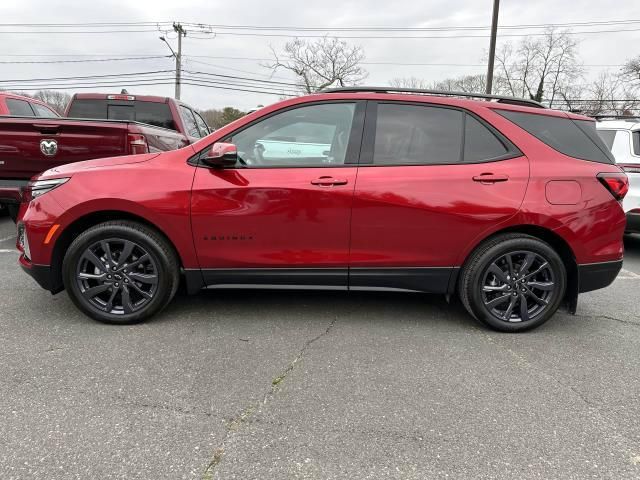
(353, 148)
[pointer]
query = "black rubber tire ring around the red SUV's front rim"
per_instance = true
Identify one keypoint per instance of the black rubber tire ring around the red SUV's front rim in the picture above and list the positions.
(104, 232)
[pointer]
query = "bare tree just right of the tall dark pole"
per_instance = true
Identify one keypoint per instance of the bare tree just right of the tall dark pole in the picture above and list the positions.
(539, 68)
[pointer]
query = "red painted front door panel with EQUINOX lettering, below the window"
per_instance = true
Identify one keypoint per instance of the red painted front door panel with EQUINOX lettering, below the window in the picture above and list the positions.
(283, 218)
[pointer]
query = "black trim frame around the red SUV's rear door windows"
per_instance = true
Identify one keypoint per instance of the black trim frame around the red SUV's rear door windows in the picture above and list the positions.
(369, 137)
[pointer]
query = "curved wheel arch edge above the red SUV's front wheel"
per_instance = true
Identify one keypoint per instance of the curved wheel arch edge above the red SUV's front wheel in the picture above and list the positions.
(84, 222)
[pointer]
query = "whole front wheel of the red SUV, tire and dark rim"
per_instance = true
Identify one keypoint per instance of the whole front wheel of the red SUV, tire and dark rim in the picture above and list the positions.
(121, 290)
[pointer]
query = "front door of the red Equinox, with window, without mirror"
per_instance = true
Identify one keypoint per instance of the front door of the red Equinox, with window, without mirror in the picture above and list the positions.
(281, 216)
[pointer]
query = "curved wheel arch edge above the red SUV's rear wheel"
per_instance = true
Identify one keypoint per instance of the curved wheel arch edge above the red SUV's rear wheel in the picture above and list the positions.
(558, 243)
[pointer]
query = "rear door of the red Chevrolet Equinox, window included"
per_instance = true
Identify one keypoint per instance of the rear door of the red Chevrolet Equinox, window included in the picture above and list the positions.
(431, 180)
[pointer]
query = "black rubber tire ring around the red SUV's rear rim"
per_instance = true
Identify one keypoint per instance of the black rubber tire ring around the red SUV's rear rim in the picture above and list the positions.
(492, 254)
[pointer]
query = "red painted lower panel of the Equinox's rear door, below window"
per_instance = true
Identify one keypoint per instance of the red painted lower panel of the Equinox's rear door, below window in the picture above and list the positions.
(432, 211)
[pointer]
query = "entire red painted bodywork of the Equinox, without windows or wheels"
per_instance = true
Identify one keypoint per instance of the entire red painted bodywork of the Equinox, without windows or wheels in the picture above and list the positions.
(423, 216)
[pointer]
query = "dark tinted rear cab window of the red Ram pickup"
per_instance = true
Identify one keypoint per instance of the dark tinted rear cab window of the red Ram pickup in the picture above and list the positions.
(151, 113)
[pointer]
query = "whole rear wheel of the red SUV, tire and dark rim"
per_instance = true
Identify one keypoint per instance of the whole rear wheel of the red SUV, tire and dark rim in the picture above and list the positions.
(494, 293)
